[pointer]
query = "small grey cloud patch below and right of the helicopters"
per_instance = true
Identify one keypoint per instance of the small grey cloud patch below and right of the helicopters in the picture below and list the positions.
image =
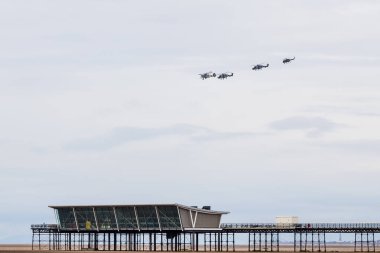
(314, 126)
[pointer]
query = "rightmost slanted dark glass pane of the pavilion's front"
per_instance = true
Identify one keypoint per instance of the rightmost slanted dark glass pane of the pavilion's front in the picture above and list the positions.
(169, 217)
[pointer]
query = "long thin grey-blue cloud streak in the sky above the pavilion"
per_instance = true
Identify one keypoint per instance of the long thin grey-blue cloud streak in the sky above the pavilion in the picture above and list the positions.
(121, 135)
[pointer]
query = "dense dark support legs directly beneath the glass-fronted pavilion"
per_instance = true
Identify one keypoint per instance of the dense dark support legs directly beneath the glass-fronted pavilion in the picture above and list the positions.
(47, 239)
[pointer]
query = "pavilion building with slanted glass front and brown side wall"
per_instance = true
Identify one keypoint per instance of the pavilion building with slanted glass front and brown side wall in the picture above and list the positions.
(135, 217)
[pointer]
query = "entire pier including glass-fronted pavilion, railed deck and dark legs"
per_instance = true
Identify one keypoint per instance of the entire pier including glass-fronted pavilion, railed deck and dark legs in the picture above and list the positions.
(174, 227)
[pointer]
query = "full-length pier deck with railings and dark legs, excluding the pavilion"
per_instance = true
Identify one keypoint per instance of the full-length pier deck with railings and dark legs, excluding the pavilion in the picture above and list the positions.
(251, 237)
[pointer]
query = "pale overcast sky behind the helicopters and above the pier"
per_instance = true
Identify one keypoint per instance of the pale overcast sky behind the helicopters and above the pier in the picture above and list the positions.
(101, 103)
